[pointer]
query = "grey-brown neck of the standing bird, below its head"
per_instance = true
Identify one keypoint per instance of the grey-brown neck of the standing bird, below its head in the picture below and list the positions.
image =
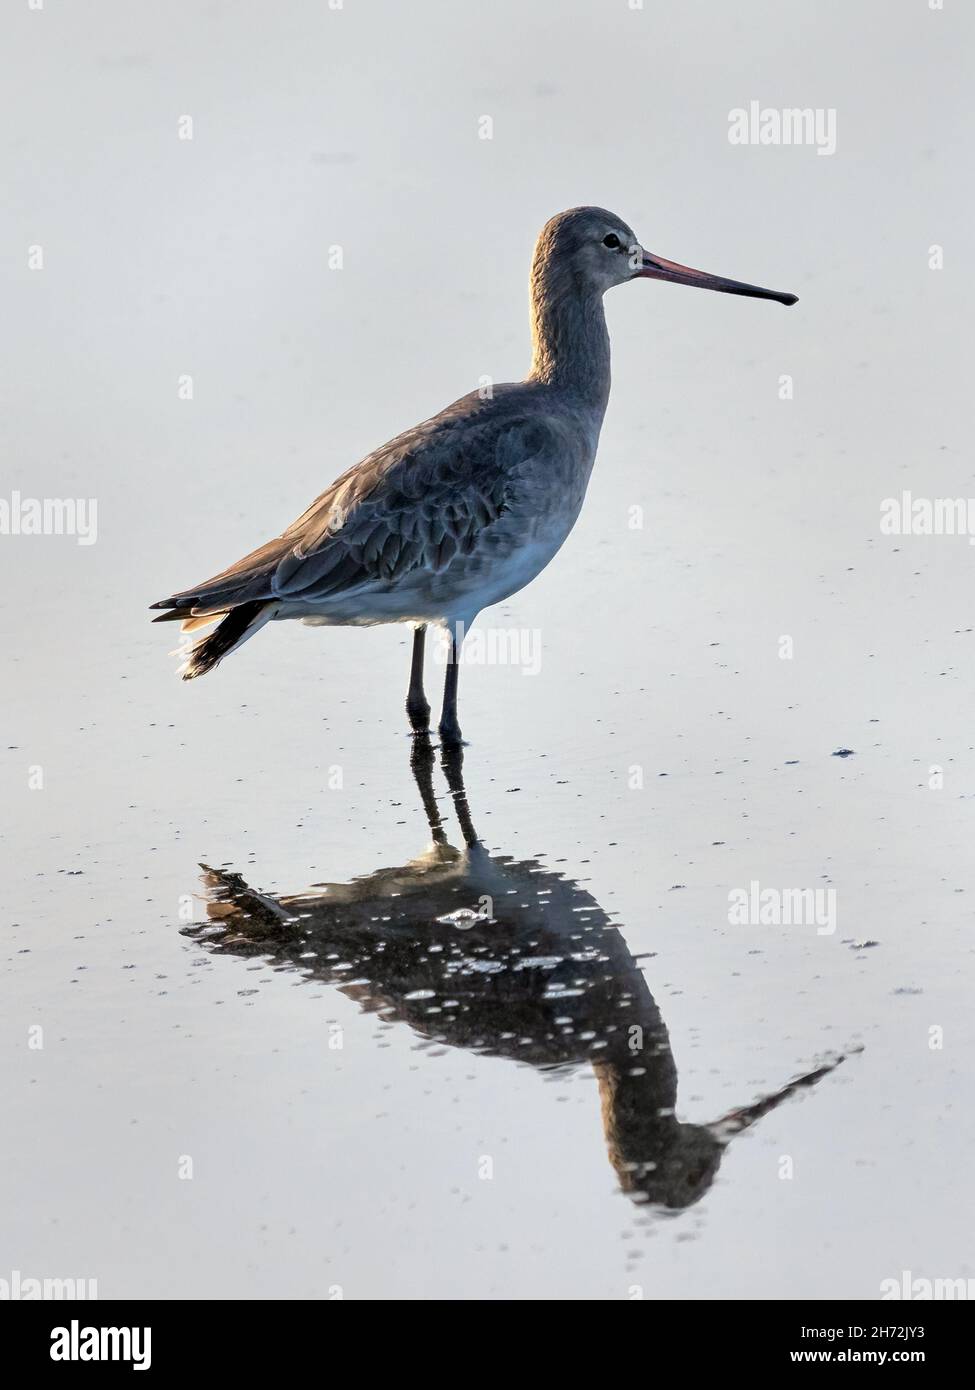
(571, 344)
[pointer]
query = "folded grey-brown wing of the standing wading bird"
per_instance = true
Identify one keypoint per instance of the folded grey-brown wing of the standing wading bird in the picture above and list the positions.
(417, 504)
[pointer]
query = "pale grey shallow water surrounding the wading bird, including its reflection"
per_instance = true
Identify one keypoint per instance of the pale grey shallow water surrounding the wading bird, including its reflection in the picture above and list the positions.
(422, 1082)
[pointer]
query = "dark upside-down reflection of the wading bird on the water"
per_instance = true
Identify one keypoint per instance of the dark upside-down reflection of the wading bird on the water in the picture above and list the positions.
(507, 958)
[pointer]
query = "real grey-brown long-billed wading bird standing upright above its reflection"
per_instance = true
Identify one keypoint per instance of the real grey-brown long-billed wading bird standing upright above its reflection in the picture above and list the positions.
(465, 509)
